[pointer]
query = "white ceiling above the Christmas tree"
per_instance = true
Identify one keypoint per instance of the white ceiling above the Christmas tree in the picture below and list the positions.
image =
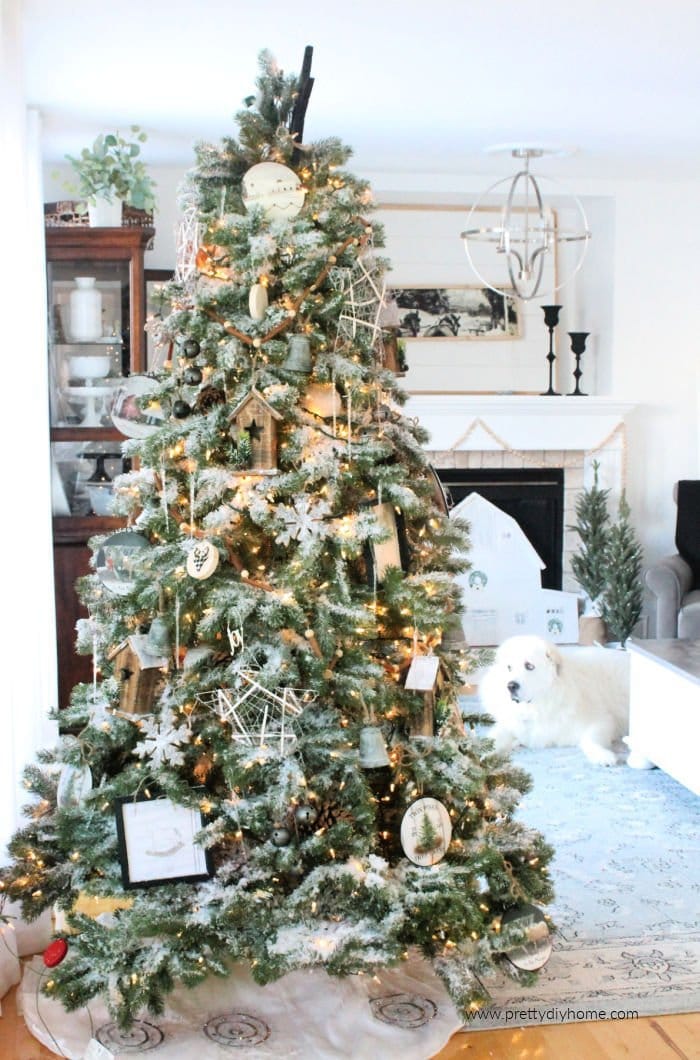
(421, 87)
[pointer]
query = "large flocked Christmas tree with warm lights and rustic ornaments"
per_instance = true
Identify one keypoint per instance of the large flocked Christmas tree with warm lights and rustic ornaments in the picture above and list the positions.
(237, 783)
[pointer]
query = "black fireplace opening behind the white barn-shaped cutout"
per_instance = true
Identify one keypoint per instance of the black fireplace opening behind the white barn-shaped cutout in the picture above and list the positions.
(533, 497)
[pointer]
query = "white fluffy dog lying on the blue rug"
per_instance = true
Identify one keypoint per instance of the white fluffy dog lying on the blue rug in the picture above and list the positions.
(541, 696)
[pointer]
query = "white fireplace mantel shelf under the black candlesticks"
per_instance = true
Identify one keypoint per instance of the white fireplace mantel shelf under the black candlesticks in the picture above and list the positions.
(474, 422)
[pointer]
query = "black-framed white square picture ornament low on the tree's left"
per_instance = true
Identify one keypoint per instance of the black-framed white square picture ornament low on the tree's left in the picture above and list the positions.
(156, 843)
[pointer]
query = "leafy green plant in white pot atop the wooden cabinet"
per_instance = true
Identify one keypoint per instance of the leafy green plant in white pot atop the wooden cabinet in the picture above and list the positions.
(111, 172)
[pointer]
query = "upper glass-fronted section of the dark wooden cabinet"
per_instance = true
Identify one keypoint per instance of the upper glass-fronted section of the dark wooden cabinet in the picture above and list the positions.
(96, 296)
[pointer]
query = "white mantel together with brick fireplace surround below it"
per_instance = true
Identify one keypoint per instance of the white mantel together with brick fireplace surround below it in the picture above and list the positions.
(515, 431)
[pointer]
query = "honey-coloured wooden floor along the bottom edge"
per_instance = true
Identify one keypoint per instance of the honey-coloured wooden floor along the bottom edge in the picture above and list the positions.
(658, 1038)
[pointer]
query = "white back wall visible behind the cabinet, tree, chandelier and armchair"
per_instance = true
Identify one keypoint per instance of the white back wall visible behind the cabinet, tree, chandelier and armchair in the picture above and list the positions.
(637, 294)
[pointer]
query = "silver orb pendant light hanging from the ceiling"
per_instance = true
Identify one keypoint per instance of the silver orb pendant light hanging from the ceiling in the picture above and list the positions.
(521, 244)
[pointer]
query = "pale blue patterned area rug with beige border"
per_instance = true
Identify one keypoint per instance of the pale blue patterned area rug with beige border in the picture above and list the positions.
(627, 879)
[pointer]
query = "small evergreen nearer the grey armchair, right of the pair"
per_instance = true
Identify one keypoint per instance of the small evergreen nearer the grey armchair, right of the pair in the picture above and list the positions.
(623, 596)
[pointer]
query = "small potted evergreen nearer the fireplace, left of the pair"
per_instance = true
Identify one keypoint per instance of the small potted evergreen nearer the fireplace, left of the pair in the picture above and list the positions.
(589, 566)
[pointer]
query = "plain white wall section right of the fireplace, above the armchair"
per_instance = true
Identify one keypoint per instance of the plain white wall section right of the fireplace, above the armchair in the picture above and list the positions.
(656, 277)
